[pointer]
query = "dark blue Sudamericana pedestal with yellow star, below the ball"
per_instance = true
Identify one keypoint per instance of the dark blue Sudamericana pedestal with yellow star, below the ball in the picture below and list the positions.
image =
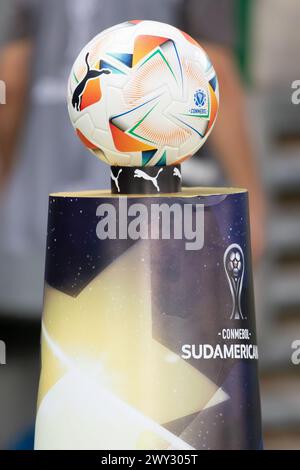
(148, 335)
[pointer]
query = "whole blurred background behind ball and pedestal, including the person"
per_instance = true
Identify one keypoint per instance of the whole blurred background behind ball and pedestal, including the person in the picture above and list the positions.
(254, 45)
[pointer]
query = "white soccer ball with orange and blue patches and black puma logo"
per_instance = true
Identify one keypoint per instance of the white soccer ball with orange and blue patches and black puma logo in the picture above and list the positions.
(143, 93)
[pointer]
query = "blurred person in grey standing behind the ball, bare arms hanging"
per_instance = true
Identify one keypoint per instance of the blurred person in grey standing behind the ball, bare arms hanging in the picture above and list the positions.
(39, 150)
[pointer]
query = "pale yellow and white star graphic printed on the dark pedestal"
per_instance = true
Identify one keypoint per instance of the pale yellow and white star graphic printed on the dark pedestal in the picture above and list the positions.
(106, 383)
